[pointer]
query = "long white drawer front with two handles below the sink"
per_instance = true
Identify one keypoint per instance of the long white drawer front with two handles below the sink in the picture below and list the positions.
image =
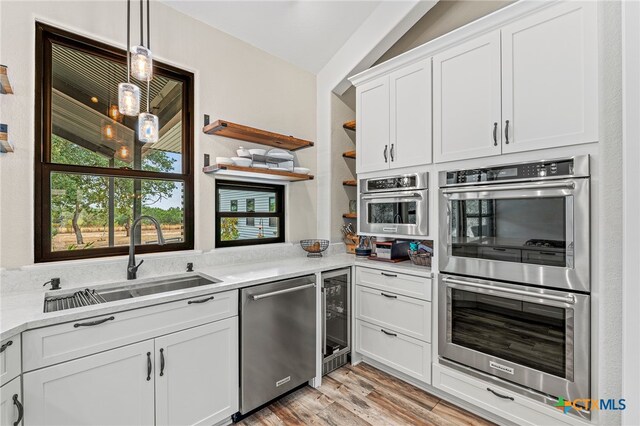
(58, 343)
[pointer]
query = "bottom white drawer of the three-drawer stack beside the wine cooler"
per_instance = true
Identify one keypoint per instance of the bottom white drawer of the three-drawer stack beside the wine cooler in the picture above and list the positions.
(403, 353)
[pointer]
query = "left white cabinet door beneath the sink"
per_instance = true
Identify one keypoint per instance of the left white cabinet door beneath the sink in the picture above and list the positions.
(110, 388)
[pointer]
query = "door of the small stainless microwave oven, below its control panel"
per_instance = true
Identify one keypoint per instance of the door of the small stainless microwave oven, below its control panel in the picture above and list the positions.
(401, 213)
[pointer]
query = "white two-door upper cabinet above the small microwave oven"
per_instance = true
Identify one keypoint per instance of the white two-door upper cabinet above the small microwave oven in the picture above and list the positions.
(394, 119)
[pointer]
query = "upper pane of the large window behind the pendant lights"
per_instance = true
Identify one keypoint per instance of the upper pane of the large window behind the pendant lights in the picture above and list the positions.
(88, 130)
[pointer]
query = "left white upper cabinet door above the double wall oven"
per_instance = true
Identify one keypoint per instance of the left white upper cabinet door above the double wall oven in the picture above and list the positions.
(466, 100)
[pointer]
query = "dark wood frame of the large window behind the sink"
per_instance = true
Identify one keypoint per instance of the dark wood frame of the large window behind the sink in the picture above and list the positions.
(45, 36)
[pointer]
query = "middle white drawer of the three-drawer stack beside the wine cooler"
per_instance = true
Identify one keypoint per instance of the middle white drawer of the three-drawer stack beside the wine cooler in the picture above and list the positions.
(405, 315)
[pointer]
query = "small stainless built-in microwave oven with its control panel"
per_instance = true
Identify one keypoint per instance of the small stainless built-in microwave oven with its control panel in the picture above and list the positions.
(395, 205)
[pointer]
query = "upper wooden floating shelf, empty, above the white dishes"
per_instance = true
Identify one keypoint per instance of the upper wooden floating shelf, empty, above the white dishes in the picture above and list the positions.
(250, 134)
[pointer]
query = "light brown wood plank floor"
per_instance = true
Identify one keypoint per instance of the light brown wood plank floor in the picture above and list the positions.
(361, 396)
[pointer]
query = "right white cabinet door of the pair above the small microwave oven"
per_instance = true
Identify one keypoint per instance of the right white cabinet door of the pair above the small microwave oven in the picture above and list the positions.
(410, 142)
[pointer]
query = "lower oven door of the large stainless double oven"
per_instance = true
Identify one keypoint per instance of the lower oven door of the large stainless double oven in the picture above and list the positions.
(536, 338)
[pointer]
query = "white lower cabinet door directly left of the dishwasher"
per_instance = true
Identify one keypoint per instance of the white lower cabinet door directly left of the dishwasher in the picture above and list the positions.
(199, 382)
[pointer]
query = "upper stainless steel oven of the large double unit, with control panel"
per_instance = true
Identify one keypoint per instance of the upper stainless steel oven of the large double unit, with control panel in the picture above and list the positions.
(526, 223)
